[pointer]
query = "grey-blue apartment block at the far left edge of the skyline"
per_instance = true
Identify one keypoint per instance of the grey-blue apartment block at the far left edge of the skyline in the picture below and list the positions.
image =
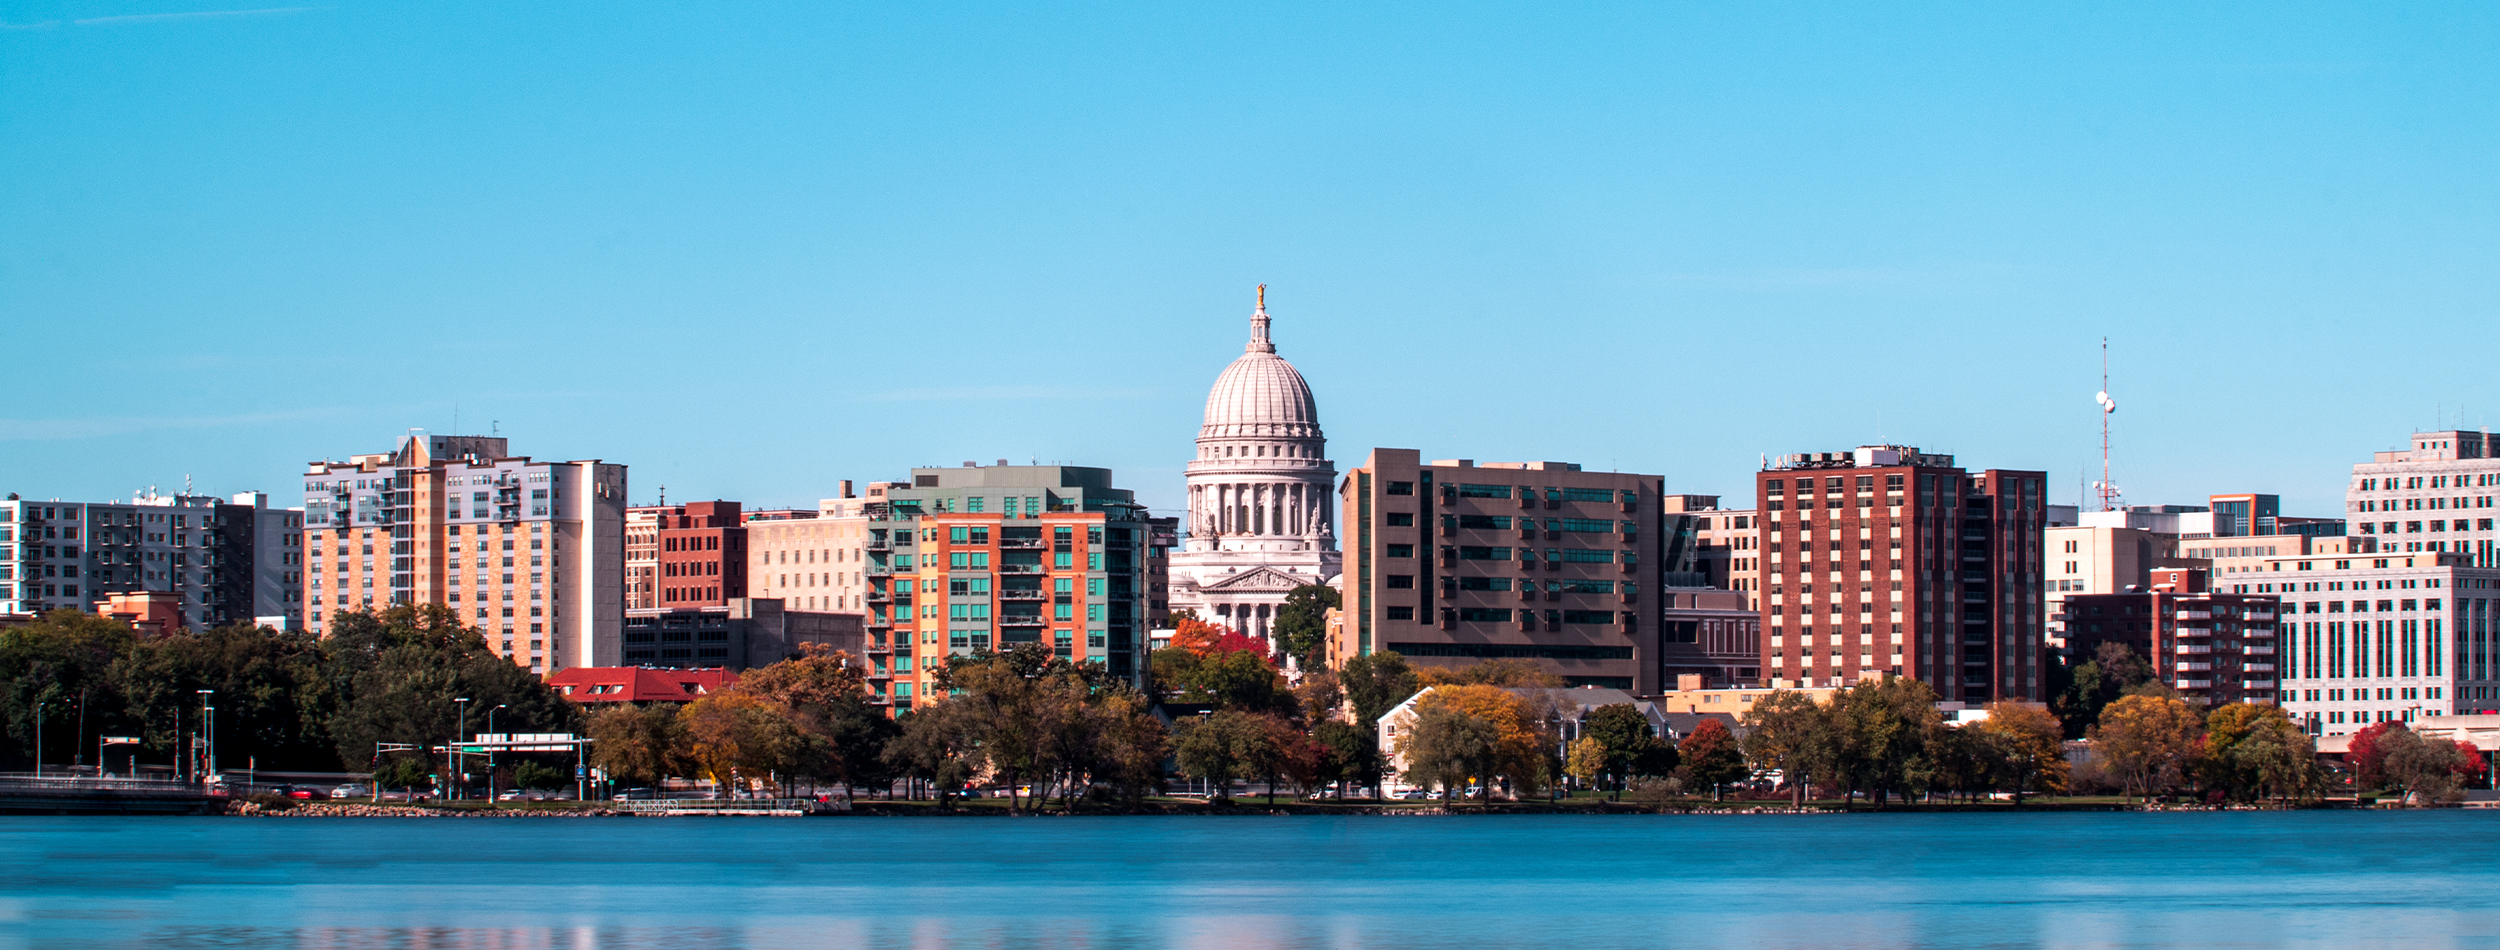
(221, 561)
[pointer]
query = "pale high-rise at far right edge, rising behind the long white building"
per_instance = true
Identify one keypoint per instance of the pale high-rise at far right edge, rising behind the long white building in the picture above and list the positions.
(2431, 499)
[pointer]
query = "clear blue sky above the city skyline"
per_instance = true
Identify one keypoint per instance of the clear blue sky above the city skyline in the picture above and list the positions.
(761, 249)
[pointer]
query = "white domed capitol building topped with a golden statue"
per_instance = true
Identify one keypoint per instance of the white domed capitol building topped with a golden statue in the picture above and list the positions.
(1261, 494)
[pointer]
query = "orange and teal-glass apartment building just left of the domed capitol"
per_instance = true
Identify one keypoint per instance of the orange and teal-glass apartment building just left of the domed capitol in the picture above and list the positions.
(999, 556)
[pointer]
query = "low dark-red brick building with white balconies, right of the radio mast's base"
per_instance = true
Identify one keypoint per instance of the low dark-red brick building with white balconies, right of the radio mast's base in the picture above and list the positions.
(2211, 646)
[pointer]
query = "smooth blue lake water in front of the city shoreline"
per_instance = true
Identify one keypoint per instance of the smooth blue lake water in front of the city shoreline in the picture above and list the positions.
(1109, 884)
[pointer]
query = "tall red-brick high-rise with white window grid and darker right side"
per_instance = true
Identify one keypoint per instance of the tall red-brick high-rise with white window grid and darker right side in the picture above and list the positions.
(1889, 561)
